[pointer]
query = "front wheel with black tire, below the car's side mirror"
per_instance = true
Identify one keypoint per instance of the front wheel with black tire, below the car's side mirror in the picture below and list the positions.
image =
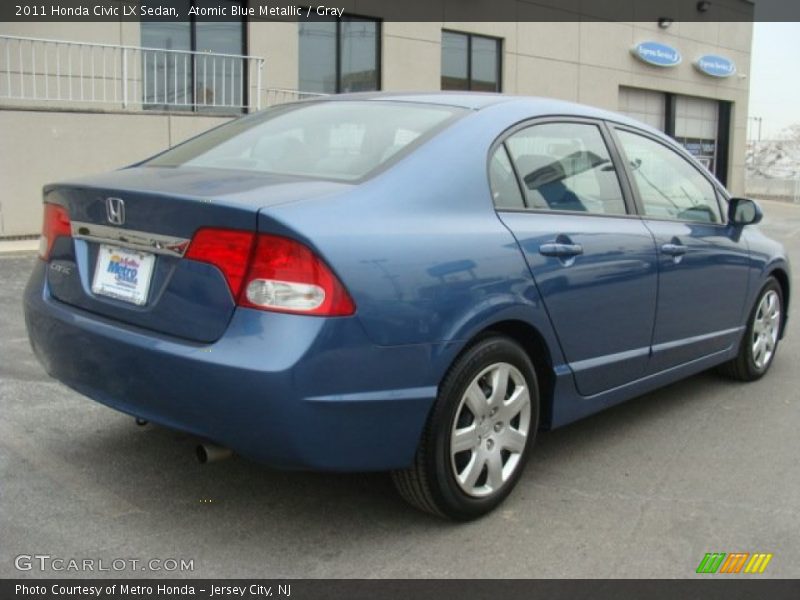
(760, 341)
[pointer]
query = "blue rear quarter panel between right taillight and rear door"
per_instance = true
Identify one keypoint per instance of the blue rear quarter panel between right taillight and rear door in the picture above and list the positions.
(420, 247)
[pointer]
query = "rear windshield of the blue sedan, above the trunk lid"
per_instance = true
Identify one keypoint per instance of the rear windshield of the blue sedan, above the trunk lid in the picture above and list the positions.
(342, 140)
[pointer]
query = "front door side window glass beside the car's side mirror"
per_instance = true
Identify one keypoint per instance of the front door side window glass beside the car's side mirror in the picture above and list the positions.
(669, 186)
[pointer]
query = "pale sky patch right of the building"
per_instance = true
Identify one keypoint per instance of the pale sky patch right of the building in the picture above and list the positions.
(774, 81)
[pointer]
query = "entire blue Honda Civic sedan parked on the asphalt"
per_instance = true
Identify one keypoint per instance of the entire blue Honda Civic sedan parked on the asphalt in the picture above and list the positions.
(409, 283)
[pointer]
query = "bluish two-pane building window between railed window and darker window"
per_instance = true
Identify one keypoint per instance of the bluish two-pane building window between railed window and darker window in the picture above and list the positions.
(337, 56)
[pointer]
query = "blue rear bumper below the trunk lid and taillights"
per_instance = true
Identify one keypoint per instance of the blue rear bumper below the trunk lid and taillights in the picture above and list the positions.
(290, 391)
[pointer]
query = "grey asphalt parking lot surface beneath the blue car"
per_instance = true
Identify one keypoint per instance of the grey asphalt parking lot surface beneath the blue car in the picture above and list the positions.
(642, 490)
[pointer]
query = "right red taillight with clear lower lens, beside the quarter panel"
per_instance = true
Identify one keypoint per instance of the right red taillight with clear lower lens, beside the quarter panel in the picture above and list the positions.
(270, 272)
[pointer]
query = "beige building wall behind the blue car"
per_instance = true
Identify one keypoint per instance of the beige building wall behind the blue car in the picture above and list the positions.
(580, 61)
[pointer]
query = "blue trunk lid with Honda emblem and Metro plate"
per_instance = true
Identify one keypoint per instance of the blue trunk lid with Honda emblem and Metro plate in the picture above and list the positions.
(130, 232)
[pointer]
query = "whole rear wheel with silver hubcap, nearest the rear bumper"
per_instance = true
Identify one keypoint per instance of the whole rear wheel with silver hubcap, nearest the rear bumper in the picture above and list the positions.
(478, 435)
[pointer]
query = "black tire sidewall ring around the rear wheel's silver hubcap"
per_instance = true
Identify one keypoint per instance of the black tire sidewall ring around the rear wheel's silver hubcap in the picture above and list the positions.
(447, 493)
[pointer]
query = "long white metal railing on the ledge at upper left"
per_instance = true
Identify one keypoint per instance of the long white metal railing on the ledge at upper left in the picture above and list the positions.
(35, 70)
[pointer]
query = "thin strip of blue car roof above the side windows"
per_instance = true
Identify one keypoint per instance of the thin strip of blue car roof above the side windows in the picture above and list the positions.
(533, 105)
